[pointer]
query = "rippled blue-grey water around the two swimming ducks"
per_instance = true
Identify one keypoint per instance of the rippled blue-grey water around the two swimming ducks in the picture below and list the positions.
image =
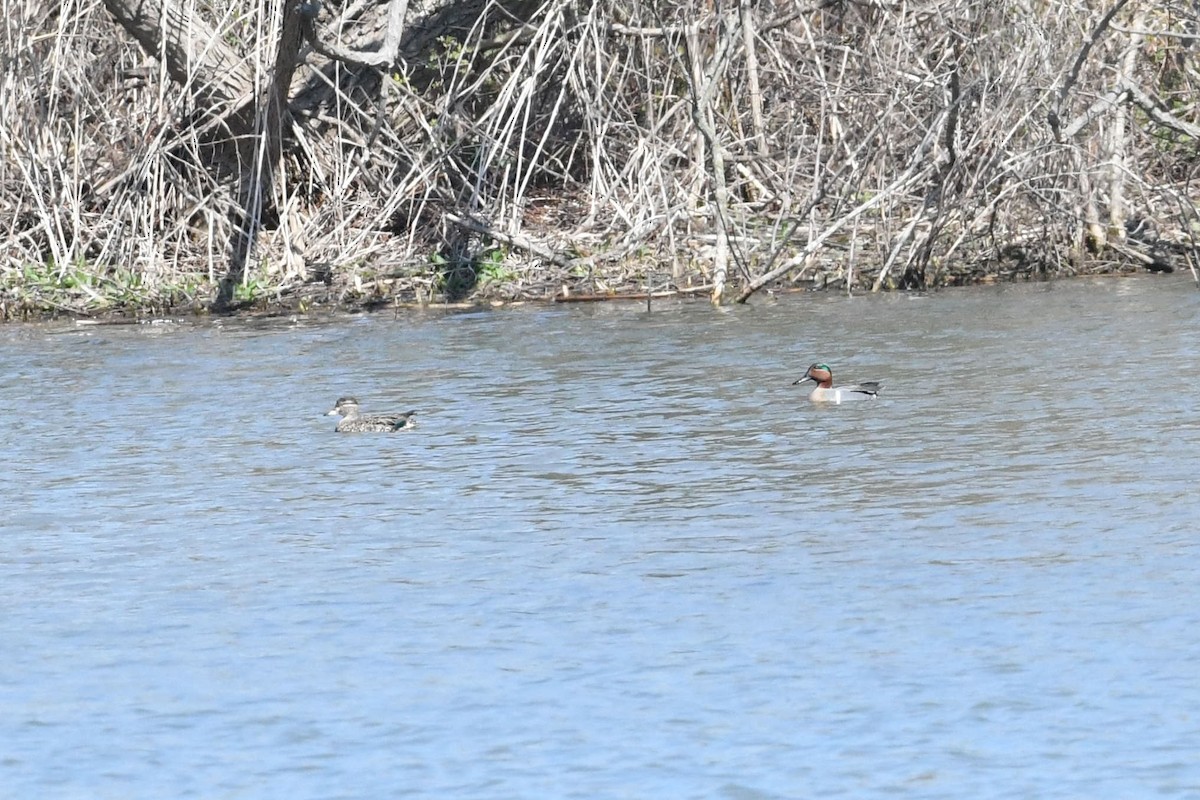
(621, 556)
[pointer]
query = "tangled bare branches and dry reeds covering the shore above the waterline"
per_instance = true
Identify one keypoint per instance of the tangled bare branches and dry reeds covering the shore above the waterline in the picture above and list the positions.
(519, 148)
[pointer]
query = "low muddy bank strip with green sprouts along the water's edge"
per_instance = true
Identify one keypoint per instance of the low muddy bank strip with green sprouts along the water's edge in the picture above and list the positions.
(110, 303)
